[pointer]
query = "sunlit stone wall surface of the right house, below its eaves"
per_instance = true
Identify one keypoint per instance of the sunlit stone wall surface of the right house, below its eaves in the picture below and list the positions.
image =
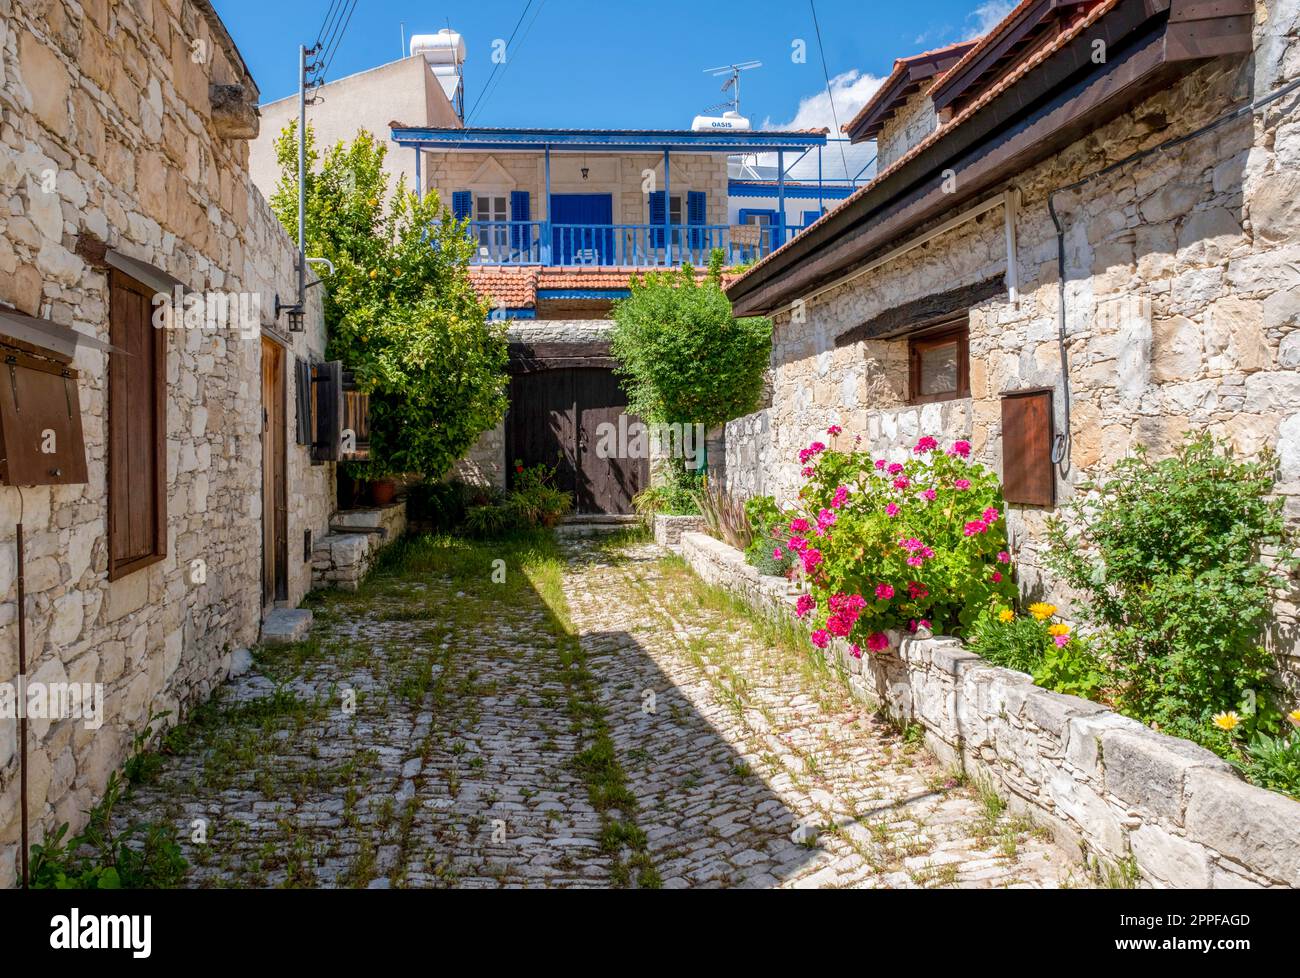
(1184, 305)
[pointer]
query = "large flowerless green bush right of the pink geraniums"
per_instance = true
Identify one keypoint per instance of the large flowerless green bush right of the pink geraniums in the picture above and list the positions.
(1169, 560)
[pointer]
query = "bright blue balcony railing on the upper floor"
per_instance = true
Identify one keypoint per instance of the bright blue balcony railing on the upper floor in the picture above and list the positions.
(617, 245)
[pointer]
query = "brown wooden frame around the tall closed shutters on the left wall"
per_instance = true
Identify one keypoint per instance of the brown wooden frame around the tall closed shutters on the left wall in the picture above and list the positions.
(120, 569)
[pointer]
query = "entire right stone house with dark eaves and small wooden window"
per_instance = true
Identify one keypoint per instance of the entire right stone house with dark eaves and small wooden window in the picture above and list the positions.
(931, 302)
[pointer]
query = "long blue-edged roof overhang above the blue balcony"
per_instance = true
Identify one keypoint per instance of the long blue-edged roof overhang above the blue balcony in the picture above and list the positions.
(604, 140)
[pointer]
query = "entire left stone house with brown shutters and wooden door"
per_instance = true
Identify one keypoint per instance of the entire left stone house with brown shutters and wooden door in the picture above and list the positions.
(124, 184)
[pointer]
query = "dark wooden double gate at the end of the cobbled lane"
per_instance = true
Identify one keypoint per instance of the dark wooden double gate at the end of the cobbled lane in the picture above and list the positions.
(556, 418)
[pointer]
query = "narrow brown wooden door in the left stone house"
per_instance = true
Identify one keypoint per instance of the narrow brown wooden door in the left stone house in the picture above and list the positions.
(275, 508)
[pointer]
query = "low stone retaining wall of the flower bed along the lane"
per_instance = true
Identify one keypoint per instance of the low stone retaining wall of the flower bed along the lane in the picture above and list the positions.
(1102, 782)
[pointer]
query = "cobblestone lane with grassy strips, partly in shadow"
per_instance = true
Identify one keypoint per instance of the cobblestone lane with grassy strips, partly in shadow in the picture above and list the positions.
(597, 719)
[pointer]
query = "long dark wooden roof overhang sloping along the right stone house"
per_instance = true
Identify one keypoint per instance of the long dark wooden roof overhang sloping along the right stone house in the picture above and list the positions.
(1058, 102)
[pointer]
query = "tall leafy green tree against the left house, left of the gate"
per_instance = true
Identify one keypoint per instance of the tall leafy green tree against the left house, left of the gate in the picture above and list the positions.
(400, 308)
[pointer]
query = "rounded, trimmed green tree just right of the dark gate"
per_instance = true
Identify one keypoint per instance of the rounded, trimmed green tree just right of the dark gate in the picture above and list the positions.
(684, 358)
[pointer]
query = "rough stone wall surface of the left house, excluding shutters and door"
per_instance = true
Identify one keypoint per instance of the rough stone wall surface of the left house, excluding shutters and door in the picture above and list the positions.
(110, 137)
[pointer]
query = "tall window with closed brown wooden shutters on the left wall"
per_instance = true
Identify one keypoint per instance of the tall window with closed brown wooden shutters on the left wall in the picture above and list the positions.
(137, 430)
